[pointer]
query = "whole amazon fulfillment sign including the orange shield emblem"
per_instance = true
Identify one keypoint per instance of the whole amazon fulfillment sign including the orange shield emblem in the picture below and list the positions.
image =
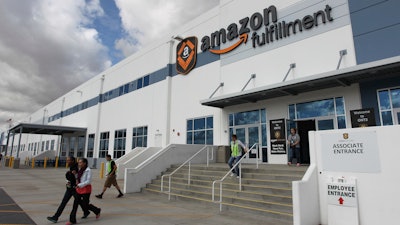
(262, 28)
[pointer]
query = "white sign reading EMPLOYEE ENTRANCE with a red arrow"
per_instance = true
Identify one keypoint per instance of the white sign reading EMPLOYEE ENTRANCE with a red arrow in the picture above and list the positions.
(342, 202)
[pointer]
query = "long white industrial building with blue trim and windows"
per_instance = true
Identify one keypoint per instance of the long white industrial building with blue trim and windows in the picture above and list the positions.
(315, 65)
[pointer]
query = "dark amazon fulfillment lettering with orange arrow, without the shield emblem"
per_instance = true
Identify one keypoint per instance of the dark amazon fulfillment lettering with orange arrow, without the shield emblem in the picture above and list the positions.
(273, 29)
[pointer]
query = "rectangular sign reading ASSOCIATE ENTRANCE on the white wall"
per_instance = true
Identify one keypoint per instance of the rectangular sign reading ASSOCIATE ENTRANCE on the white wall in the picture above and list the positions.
(350, 151)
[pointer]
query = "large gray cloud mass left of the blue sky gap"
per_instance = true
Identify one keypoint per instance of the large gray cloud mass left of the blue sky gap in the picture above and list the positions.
(46, 50)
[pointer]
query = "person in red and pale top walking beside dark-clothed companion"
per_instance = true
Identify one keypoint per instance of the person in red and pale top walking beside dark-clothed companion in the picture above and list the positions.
(83, 189)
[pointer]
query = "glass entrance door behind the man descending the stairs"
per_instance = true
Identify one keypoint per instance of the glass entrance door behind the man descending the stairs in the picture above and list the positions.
(249, 135)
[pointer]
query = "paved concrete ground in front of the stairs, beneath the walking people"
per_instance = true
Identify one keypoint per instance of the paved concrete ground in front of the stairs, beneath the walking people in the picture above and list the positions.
(38, 193)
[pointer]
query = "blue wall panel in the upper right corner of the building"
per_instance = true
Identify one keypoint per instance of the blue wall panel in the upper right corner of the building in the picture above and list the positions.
(376, 29)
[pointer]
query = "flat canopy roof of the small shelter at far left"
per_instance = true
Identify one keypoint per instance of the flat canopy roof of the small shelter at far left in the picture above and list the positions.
(31, 128)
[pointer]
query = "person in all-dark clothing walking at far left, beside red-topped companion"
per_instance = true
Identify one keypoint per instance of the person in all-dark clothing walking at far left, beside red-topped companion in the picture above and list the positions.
(70, 175)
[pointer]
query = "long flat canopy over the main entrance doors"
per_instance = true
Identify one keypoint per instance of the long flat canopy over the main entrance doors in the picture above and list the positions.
(386, 68)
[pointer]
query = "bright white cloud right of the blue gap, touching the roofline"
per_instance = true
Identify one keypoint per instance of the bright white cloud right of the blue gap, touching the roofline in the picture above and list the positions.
(145, 21)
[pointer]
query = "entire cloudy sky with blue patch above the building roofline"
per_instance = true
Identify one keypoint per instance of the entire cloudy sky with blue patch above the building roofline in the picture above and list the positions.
(48, 47)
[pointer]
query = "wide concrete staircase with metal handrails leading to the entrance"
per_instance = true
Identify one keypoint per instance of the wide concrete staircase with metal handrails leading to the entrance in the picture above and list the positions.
(266, 190)
